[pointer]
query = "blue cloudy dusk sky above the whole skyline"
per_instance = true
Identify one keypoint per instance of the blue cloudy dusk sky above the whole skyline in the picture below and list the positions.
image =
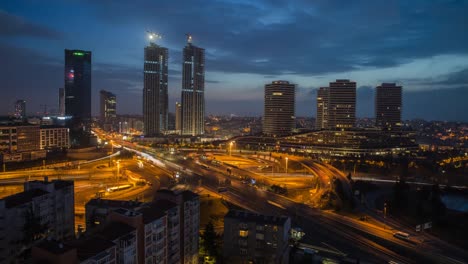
(419, 44)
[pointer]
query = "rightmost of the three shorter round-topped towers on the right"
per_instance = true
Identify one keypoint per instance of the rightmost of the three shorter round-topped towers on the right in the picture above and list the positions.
(388, 100)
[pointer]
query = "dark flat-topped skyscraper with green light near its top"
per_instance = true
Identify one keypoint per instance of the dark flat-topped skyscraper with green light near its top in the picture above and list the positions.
(78, 84)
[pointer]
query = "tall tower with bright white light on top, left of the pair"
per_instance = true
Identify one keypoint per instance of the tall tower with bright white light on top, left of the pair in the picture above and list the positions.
(155, 95)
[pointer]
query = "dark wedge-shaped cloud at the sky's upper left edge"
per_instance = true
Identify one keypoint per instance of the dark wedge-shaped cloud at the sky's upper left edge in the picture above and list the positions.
(13, 26)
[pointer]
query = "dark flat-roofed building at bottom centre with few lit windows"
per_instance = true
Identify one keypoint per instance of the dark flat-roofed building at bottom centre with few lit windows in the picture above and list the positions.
(254, 238)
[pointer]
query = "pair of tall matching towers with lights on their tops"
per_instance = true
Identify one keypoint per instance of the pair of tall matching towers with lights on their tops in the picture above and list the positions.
(155, 90)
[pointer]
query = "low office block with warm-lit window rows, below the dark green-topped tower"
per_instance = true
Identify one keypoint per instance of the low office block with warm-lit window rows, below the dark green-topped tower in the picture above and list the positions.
(54, 137)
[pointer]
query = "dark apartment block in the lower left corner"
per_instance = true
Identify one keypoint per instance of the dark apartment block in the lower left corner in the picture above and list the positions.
(49, 205)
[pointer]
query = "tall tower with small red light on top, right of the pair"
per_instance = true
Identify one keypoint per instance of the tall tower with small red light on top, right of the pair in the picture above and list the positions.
(193, 90)
